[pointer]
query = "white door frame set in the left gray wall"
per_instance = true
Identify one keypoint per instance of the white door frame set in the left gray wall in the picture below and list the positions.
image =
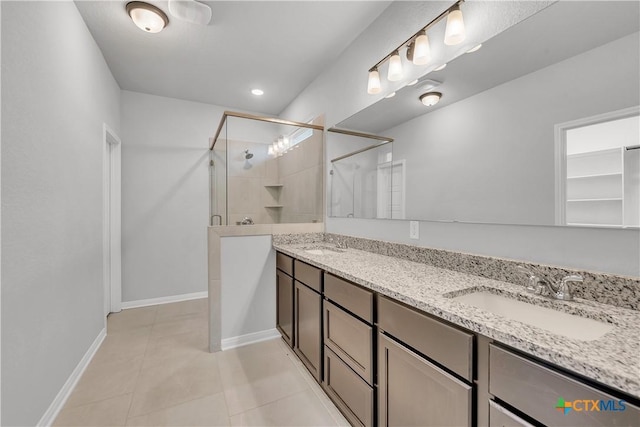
(112, 221)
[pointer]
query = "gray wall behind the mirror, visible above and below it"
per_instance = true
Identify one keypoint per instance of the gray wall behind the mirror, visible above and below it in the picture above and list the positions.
(341, 91)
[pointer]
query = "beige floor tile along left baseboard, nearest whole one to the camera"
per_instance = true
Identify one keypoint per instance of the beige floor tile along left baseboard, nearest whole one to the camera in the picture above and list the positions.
(105, 380)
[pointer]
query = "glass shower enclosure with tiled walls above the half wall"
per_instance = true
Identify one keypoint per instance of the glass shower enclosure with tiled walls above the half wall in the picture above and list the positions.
(266, 171)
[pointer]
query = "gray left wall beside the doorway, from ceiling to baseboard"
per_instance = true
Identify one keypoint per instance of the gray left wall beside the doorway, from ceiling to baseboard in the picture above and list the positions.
(56, 93)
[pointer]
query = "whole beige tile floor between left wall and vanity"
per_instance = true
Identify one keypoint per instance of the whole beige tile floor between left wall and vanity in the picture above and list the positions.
(153, 369)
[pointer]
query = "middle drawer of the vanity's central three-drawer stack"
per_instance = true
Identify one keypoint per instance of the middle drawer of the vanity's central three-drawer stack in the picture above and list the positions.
(349, 338)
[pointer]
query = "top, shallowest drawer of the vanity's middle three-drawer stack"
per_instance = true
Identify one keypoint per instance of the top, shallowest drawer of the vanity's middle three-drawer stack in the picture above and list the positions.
(353, 298)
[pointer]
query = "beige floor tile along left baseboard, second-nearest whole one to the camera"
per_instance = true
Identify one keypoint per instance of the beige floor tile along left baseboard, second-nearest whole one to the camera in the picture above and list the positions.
(123, 345)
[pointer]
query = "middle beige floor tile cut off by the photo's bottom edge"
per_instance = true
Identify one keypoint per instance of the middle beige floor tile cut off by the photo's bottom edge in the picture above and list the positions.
(206, 411)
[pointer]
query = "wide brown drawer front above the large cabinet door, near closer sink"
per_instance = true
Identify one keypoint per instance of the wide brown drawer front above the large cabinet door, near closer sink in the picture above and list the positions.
(446, 345)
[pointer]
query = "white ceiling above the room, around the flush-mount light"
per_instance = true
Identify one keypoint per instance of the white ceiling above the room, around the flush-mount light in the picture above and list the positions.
(277, 46)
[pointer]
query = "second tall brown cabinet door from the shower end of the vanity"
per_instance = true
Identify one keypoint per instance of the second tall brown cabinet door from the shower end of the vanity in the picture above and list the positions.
(307, 327)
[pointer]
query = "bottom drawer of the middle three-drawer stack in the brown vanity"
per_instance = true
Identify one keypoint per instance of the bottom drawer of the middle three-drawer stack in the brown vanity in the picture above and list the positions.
(348, 391)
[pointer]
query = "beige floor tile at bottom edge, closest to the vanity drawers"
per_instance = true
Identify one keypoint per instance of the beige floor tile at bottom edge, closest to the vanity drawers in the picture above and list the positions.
(300, 409)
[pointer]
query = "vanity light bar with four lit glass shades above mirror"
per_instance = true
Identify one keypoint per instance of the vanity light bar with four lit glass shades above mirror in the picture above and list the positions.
(418, 50)
